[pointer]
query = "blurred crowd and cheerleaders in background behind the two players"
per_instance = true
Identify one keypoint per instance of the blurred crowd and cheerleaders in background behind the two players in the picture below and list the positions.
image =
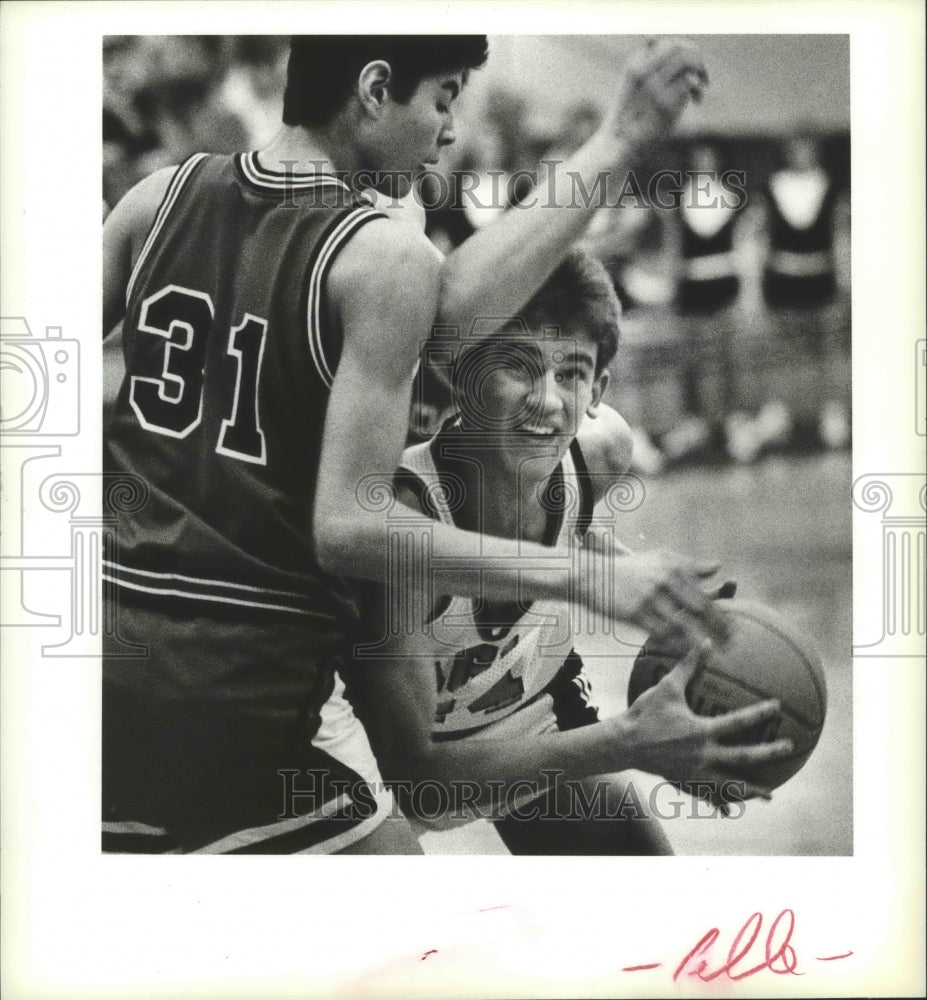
(736, 330)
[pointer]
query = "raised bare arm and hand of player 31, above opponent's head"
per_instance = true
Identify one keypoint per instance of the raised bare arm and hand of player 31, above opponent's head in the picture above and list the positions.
(499, 268)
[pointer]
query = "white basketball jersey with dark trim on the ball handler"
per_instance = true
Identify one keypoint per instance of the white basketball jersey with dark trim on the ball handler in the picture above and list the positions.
(487, 668)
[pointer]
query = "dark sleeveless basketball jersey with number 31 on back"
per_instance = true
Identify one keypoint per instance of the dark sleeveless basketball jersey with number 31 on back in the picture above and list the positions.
(229, 364)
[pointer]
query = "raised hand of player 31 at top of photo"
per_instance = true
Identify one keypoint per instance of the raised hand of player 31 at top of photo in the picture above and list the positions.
(656, 87)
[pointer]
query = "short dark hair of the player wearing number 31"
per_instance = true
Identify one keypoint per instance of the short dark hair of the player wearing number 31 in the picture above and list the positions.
(323, 69)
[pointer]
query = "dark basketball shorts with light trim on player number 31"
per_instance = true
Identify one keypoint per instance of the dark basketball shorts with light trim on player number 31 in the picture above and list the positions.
(231, 737)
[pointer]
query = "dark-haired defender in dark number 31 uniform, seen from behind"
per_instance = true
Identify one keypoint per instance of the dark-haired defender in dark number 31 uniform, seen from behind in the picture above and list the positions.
(272, 318)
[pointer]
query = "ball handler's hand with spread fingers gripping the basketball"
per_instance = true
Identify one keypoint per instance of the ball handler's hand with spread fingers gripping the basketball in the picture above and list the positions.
(699, 753)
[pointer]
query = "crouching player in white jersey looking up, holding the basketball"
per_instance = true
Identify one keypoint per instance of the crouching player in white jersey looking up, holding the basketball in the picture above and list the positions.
(492, 698)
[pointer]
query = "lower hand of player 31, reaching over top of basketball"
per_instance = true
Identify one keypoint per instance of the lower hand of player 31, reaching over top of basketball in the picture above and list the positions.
(658, 591)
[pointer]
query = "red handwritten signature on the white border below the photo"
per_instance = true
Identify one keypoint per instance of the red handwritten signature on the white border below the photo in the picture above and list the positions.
(745, 956)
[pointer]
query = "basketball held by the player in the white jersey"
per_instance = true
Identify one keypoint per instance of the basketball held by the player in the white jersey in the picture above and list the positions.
(766, 657)
